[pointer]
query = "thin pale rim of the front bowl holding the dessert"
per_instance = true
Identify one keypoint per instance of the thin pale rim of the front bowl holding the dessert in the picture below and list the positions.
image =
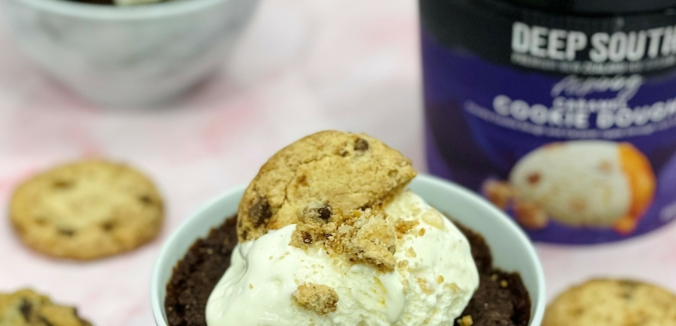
(466, 194)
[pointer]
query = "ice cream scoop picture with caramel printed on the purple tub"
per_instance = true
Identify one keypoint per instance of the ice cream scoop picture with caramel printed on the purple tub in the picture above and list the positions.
(591, 183)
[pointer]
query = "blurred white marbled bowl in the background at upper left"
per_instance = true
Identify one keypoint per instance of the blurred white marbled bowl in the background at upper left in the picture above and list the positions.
(128, 56)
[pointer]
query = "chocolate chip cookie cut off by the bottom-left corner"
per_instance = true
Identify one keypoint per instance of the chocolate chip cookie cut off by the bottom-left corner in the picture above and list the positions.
(27, 308)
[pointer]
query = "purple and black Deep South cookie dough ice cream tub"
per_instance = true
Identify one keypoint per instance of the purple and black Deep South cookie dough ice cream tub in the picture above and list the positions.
(560, 113)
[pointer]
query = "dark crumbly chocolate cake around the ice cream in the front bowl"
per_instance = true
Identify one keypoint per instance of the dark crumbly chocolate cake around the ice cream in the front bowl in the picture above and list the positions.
(501, 300)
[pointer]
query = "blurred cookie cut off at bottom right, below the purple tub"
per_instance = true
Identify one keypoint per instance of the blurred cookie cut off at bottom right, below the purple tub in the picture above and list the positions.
(606, 302)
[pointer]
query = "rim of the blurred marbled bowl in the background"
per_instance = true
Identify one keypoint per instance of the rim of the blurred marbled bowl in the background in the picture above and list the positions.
(121, 13)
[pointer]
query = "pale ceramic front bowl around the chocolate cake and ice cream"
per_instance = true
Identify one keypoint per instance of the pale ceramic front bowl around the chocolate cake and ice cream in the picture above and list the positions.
(512, 251)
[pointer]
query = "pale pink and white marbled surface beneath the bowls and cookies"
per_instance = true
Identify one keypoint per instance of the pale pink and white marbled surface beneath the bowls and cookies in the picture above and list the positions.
(302, 66)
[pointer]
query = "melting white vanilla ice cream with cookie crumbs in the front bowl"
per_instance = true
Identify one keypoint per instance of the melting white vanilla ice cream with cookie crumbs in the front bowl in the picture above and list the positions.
(272, 282)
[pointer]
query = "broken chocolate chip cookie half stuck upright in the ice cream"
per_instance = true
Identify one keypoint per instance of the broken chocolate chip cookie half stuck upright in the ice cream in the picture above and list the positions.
(339, 171)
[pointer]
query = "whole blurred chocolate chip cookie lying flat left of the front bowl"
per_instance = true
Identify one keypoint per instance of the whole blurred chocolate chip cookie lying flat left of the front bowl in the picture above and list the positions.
(87, 210)
